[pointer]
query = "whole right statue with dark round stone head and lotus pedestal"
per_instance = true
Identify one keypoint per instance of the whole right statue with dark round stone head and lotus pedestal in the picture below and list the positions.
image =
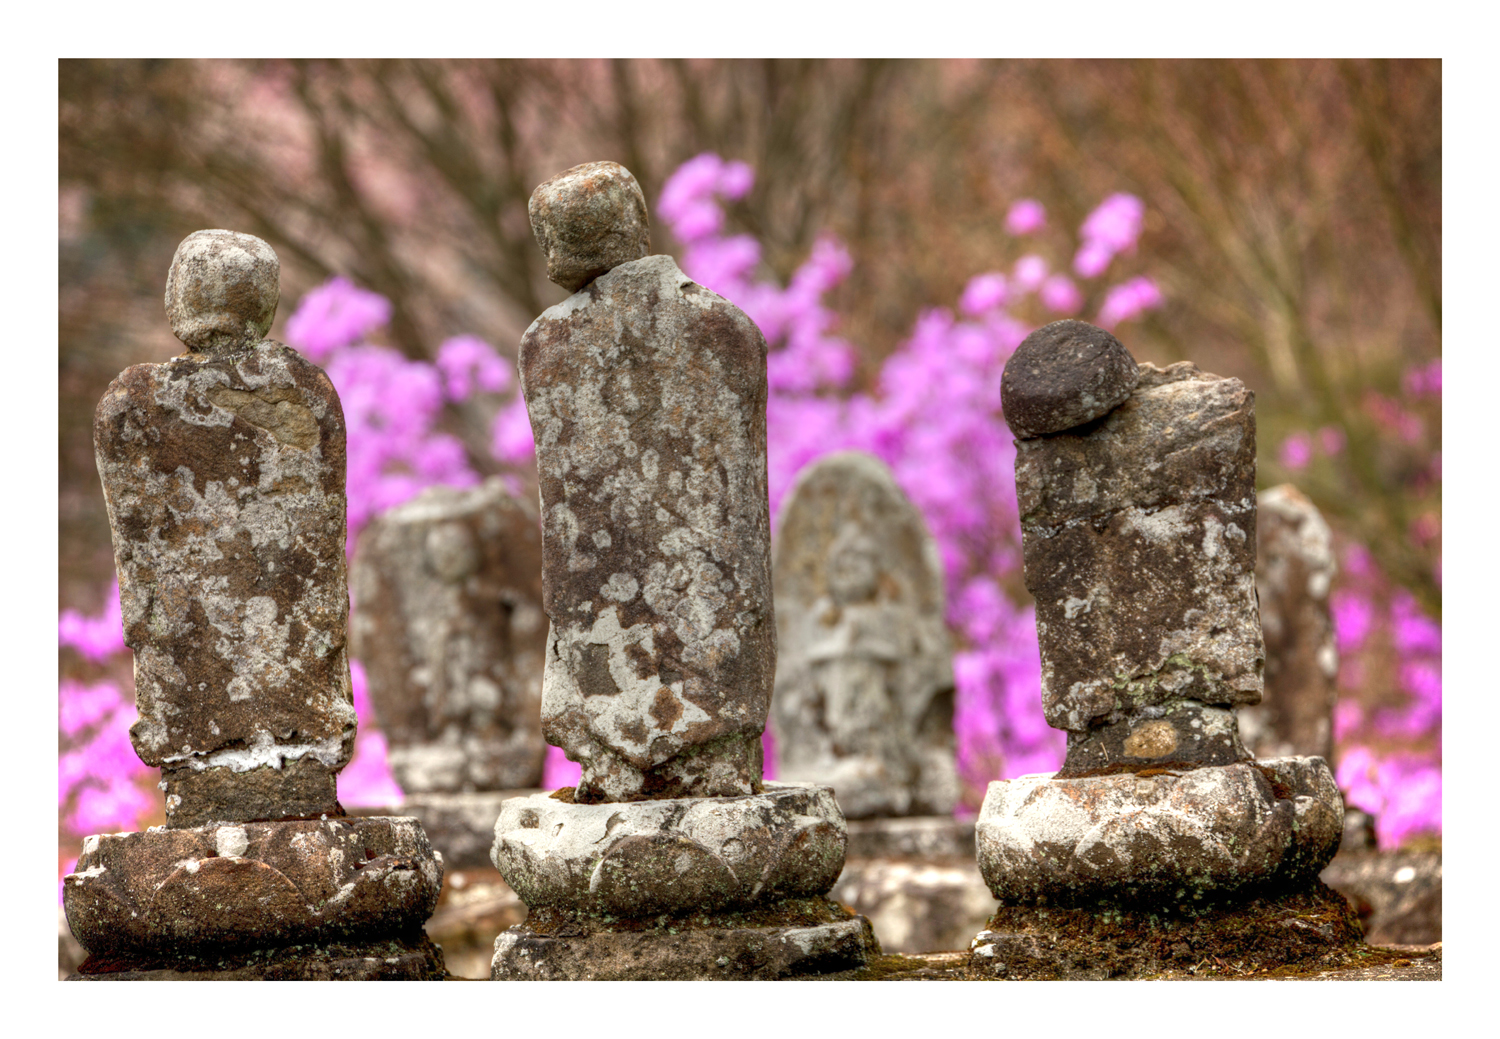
(1162, 837)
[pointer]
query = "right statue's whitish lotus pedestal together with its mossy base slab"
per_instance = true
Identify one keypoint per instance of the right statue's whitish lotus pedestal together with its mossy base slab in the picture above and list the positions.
(1127, 875)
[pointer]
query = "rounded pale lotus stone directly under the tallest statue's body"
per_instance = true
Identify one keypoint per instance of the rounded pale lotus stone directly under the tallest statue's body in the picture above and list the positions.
(644, 858)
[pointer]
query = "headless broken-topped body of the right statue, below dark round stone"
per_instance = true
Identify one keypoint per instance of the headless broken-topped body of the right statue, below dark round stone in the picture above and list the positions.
(1139, 546)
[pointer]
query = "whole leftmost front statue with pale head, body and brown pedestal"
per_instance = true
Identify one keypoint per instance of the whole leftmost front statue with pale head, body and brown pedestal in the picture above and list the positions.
(224, 479)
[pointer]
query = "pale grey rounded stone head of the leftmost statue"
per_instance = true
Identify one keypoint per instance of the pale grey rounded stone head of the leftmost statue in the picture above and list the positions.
(223, 292)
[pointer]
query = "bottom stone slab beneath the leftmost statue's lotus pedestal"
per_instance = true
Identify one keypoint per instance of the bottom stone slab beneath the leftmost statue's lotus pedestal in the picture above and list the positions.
(391, 960)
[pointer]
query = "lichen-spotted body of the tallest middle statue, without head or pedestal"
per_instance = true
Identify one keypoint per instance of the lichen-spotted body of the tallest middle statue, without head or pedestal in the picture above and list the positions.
(647, 398)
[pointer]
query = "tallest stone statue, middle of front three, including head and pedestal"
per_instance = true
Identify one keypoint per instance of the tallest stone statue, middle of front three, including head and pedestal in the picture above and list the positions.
(671, 858)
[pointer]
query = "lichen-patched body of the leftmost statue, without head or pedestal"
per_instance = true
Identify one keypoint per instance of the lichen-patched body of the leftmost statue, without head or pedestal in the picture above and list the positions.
(224, 481)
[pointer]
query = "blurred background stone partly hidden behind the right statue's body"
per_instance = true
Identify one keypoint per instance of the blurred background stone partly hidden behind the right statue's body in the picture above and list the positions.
(1294, 573)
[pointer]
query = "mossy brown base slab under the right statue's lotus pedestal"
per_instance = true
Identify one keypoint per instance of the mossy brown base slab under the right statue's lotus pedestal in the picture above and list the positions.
(1304, 929)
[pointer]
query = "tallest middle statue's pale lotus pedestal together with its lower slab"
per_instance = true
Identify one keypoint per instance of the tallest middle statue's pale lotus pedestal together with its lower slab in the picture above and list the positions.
(688, 888)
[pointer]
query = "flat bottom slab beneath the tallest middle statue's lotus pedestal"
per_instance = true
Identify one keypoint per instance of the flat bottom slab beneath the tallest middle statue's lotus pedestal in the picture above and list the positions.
(685, 951)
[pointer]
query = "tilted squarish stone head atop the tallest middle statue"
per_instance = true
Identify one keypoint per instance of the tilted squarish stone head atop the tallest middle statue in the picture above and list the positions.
(589, 221)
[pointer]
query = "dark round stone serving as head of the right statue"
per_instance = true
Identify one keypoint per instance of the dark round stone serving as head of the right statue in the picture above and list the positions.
(1064, 376)
